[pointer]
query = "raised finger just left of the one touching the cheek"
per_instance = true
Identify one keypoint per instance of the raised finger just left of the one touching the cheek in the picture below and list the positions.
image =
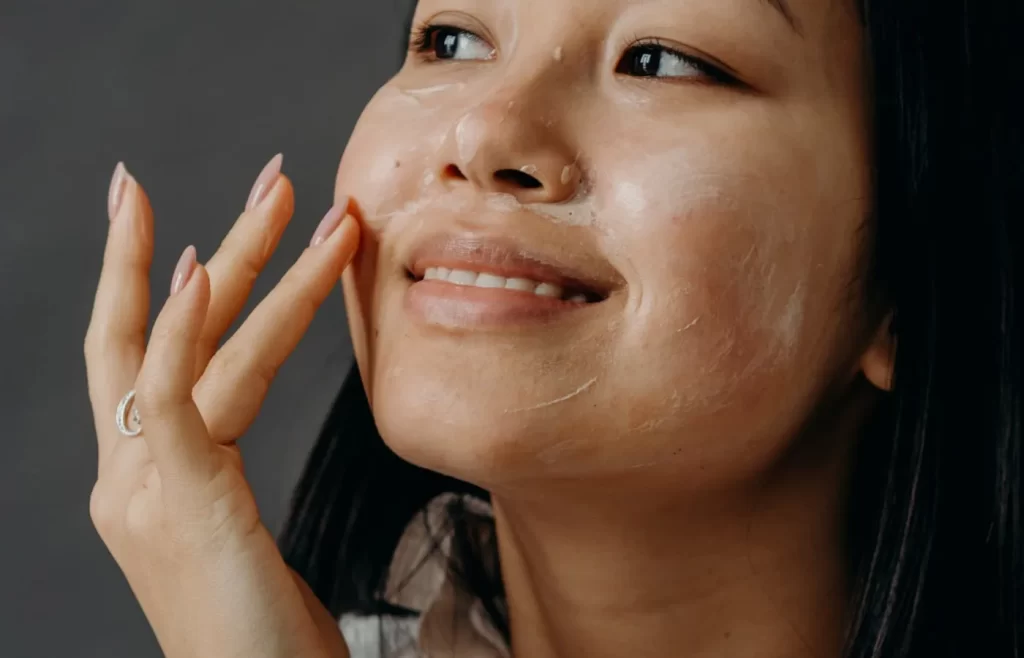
(243, 255)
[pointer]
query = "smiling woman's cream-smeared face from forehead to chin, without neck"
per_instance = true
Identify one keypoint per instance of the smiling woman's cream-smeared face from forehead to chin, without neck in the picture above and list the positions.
(666, 200)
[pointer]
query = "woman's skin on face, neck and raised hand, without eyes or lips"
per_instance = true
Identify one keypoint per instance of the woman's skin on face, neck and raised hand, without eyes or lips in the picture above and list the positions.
(692, 431)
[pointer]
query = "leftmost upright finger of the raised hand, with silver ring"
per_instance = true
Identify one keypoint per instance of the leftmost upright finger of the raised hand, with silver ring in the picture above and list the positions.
(115, 341)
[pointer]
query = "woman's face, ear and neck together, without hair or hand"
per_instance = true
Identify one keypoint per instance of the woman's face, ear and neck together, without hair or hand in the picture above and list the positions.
(667, 460)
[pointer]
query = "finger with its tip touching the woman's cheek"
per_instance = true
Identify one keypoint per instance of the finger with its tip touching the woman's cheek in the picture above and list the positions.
(233, 388)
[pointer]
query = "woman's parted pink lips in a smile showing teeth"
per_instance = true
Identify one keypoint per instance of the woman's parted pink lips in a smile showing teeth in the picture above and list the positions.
(472, 281)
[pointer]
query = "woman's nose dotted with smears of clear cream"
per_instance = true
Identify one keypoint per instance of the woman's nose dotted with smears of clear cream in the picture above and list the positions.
(500, 147)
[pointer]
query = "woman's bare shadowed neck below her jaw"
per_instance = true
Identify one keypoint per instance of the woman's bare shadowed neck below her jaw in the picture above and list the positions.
(761, 574)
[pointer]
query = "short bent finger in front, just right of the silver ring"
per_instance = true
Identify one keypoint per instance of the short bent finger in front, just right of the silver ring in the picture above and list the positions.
(174, 428)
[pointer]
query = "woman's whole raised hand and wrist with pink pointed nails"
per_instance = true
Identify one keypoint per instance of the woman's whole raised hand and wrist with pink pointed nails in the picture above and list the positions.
(173, 505)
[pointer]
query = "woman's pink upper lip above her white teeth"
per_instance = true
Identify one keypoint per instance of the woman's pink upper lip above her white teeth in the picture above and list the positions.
(503, 255)
